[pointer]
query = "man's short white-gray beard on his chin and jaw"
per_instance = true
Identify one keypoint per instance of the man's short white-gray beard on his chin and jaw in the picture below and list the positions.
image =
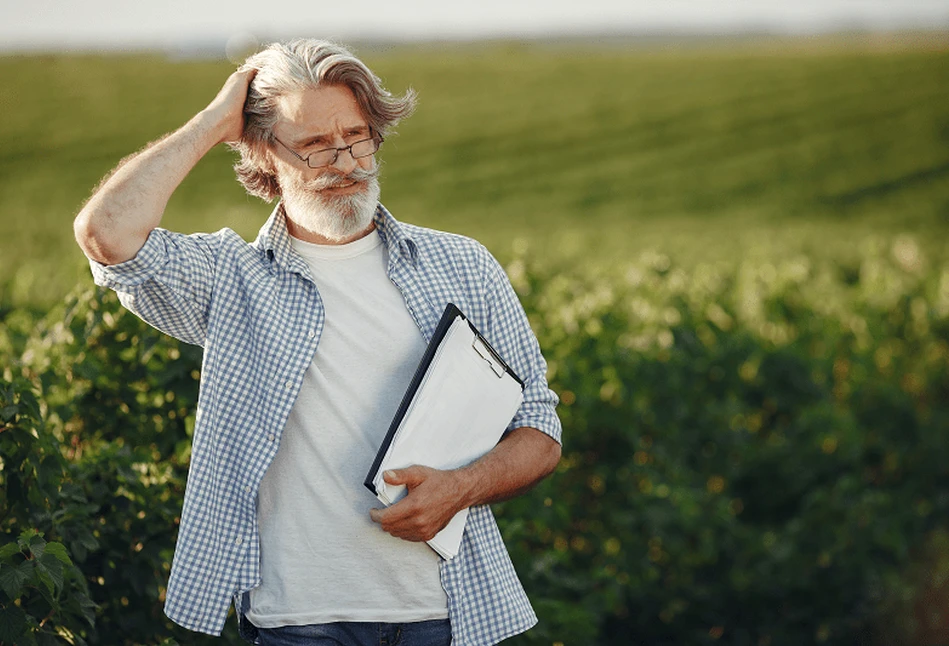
(334, 217)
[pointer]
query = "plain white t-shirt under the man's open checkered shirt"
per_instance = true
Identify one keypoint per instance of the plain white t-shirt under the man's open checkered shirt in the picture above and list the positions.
(322, 558)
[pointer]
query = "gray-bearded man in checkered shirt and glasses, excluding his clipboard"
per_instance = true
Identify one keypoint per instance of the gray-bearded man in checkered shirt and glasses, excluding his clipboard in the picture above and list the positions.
(311, 334)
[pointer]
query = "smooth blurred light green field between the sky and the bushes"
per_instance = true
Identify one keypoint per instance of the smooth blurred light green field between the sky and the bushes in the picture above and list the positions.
(589, 154)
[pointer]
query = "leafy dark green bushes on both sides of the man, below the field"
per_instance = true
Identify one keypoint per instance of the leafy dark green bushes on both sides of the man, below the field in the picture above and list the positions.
(754, 454)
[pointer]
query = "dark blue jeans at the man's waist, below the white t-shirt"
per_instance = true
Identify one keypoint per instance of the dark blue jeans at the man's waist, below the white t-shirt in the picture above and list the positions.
(352, 633)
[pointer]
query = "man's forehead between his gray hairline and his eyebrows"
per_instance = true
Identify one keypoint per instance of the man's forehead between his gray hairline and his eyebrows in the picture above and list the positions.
(317, 111)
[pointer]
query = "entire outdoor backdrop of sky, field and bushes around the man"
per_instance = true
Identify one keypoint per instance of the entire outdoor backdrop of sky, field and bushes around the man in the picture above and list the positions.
(729, 225)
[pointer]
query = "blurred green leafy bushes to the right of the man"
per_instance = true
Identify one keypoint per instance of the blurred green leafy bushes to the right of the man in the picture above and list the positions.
(754, 455)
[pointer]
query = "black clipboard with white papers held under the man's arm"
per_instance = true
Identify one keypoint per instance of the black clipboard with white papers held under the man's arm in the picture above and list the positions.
(460, 401)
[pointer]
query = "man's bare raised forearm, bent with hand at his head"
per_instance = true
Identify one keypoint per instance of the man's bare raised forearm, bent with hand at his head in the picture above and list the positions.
(114, 224)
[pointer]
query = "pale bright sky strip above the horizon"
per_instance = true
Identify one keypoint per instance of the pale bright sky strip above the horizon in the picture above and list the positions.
(173, 24)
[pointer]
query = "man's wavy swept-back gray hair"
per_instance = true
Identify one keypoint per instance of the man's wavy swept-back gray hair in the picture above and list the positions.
(283, 68)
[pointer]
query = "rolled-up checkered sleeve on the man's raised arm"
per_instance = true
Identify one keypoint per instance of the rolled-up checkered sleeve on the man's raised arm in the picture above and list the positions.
(169, 283)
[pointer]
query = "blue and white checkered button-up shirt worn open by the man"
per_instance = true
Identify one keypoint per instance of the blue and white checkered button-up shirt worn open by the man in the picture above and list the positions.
(257, 312)
